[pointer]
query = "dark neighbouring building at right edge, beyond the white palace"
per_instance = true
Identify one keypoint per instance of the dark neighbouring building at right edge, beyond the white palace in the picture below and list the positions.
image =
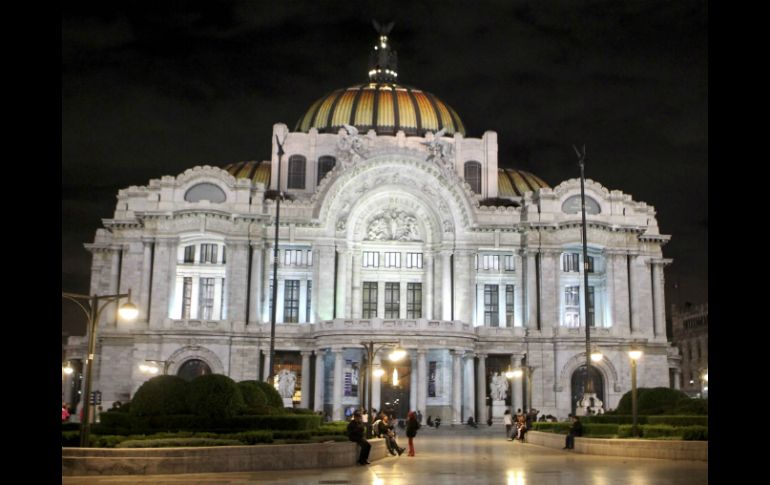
(690, 327)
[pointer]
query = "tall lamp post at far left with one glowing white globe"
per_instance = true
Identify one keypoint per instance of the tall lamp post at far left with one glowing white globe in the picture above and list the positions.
(90, 306)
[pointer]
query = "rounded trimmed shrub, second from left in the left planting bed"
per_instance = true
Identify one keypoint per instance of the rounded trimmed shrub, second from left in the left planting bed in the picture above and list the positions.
(215, 396)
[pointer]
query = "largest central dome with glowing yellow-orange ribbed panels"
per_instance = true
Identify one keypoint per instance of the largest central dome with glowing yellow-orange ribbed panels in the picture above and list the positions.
(384, 107)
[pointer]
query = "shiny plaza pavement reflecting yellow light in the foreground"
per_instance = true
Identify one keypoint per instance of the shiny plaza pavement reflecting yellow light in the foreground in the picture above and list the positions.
(455, 456)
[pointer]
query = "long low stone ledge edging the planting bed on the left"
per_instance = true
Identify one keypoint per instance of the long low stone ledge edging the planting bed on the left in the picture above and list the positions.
(152, 461)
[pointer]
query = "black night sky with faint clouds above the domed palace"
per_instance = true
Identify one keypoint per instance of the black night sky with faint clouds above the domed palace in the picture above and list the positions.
(154, 88)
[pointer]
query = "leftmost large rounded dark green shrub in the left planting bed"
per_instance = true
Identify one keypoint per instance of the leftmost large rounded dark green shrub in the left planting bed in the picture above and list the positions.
(160, 396)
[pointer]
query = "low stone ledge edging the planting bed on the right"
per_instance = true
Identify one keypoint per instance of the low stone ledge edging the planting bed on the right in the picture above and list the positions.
(666, 449)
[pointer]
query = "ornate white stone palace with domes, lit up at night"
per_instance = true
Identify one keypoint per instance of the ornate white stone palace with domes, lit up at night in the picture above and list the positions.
(395, 226)
